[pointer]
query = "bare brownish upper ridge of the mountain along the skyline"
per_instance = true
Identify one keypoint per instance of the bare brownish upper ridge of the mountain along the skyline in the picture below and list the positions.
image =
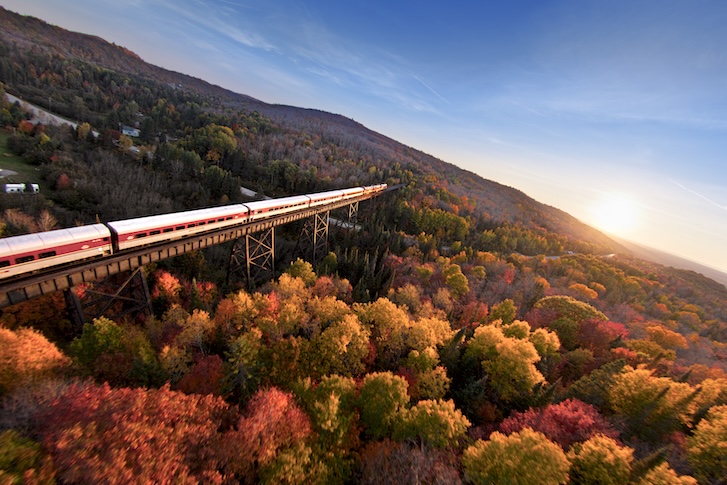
(499, 202)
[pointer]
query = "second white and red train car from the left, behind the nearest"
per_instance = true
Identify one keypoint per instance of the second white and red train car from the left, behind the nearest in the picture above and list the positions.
(133, 233)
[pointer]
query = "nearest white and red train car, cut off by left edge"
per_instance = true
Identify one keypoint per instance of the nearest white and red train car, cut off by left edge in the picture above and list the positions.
(34, 252)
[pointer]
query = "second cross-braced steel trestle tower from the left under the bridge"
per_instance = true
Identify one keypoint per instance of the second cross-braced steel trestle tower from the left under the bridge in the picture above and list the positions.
(254, 257)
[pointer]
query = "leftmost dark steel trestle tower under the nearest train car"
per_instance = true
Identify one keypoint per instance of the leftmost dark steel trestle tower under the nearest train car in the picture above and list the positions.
(114, 297)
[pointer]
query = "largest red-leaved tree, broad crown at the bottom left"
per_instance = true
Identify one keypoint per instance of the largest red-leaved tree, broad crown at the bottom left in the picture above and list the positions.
(96, 434)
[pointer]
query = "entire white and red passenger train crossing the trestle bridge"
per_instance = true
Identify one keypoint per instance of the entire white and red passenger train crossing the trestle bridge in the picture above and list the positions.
(40, 251)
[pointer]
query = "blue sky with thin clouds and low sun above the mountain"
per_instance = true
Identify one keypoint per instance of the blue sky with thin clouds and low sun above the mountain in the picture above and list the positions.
(615, 112)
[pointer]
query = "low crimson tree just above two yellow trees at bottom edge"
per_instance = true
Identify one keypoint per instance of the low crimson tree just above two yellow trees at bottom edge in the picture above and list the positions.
(568, 422)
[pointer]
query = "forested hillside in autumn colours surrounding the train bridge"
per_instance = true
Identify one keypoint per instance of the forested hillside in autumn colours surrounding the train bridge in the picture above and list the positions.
(466, 334)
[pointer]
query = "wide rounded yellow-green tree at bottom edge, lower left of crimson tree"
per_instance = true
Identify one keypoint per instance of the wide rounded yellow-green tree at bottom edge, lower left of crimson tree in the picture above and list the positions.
(522, 458)
